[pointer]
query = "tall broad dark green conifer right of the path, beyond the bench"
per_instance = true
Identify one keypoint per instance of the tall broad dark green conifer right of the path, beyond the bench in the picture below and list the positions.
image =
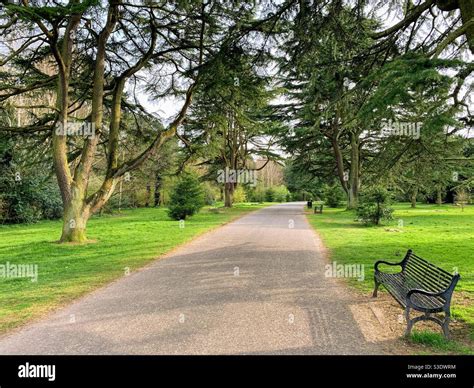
(336, 113)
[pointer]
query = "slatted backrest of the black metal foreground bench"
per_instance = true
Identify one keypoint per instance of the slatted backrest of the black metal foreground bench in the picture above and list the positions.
(428, 275)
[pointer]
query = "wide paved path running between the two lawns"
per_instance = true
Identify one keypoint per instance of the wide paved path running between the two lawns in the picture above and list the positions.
(254, 286)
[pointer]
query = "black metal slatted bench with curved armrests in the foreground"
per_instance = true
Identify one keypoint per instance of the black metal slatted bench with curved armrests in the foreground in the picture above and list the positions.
(420, 286)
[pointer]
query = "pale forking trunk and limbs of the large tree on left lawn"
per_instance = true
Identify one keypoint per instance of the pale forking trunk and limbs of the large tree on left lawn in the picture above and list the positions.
(74, 187)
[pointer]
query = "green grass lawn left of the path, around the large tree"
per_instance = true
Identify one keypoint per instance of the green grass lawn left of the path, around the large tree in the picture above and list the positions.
(122, 242)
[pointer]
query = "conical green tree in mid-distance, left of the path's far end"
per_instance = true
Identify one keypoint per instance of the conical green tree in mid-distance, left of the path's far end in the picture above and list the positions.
(227, 124)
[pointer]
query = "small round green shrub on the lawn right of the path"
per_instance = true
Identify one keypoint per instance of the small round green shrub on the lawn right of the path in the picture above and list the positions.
(374, 206)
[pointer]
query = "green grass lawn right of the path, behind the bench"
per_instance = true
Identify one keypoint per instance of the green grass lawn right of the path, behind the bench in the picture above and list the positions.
(443, 235)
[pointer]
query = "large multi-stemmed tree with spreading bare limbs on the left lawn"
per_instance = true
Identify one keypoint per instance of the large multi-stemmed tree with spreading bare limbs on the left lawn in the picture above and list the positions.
(97, 51)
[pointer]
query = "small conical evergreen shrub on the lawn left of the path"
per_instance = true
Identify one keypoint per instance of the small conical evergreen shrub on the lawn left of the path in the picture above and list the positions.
(186, 198)
